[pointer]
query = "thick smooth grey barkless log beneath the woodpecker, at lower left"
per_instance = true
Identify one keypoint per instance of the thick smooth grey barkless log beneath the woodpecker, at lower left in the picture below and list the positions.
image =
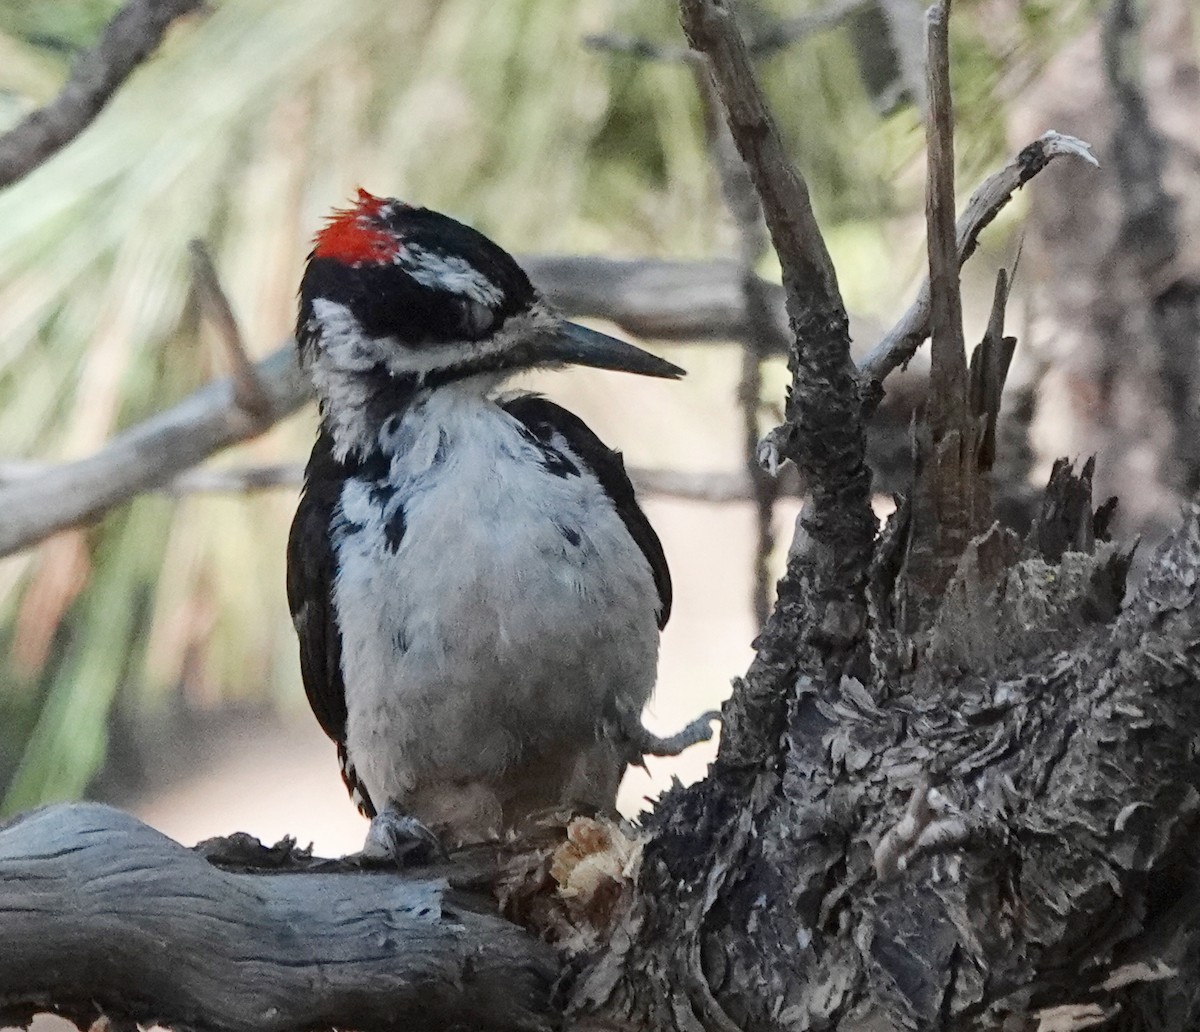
(101, 915)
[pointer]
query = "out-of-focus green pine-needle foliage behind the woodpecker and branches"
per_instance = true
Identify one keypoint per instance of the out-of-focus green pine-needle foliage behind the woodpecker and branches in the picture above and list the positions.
(249, 125)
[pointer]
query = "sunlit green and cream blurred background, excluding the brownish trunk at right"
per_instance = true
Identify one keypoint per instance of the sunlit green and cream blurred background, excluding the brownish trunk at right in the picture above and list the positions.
(151, 659)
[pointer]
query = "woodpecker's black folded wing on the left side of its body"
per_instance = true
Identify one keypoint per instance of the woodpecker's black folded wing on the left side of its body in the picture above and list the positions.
(311, 601)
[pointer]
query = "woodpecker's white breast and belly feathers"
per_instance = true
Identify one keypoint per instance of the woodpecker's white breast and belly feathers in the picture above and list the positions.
(512, 616)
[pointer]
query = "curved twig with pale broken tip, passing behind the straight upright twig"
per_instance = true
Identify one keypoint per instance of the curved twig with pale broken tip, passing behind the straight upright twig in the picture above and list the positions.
(902, 343)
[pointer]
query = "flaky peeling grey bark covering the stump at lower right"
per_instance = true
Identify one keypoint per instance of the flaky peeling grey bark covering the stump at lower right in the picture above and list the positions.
(1057, 862)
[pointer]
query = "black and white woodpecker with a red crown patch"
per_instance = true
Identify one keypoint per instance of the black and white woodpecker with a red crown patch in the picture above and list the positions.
(477, 593)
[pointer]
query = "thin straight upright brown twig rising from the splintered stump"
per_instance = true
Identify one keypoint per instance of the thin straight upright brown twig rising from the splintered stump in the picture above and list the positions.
(949, 362)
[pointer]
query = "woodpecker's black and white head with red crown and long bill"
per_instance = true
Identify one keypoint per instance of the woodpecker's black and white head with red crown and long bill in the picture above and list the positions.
(406, 293)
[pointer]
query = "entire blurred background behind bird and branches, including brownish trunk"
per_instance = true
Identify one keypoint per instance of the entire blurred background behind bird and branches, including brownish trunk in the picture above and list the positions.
(149, 659)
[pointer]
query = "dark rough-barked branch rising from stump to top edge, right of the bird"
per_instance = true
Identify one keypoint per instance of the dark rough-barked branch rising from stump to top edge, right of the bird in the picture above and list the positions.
(824, 435)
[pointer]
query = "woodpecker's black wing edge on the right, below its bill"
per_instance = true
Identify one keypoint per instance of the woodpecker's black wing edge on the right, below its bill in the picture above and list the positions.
(544, 421)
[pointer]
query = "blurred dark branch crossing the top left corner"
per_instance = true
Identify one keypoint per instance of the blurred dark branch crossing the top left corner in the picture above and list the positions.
(134, 34)
